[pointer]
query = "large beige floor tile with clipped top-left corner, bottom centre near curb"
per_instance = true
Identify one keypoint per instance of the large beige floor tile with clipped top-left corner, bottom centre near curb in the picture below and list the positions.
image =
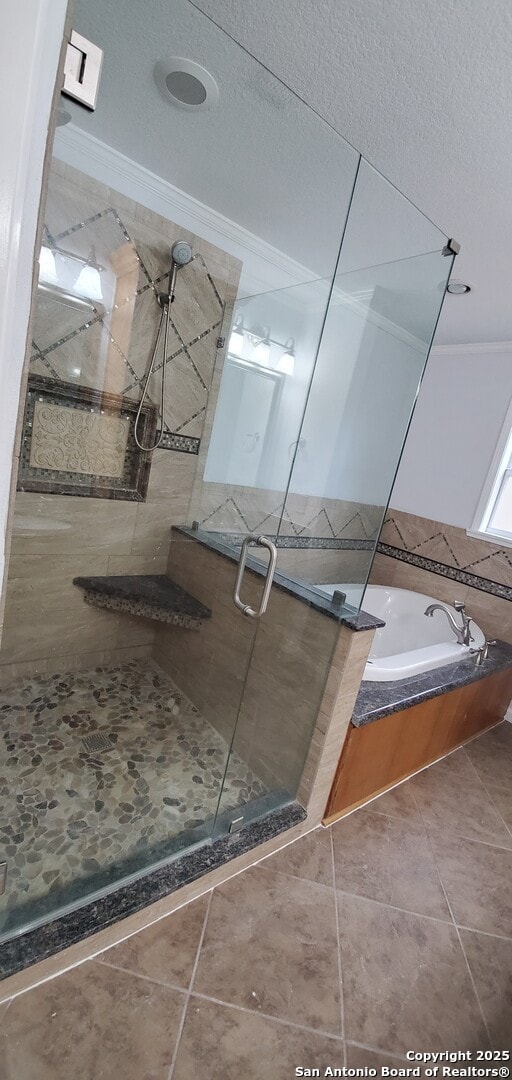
(271, 947)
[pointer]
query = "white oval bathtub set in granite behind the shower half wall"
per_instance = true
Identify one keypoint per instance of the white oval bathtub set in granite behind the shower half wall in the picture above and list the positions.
(410, 643)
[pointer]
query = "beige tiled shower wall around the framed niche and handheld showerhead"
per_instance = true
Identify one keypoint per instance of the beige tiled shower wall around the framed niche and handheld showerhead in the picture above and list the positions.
(57, 538)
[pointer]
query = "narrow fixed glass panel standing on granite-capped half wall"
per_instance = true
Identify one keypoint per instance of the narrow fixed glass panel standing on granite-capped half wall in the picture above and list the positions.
(382, 317)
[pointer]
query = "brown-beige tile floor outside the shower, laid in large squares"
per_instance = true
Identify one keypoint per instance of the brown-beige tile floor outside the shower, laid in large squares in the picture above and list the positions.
(390, 931)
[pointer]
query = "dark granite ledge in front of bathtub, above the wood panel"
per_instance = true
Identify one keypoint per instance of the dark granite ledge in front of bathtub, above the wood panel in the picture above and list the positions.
(376, 700)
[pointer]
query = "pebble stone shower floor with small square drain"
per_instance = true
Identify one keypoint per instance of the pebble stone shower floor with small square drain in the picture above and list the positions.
(69, 815)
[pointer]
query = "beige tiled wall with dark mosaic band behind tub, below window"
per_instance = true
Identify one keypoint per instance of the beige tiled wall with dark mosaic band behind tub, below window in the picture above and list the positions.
(466, 569)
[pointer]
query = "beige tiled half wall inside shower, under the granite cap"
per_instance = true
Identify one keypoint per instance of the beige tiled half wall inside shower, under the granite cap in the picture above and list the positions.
(289, 665)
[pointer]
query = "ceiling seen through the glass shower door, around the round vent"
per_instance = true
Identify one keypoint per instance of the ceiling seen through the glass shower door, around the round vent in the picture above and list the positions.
(260, 168)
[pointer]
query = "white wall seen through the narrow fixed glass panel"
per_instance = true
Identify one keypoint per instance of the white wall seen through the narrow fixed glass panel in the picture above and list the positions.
(363, 391)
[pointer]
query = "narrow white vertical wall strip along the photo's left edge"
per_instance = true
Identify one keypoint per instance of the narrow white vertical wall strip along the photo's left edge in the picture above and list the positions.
(30, 50)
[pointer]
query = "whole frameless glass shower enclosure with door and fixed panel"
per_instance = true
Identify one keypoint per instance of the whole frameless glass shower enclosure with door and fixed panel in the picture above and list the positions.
(157, 695)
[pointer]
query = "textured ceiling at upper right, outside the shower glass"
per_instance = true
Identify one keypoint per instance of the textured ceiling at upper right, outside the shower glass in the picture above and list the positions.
(424, 89)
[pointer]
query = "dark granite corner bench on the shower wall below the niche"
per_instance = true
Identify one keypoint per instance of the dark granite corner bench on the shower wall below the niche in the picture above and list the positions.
(150, 596)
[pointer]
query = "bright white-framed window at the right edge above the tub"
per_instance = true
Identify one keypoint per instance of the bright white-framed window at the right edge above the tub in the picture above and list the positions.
(493, 520)
